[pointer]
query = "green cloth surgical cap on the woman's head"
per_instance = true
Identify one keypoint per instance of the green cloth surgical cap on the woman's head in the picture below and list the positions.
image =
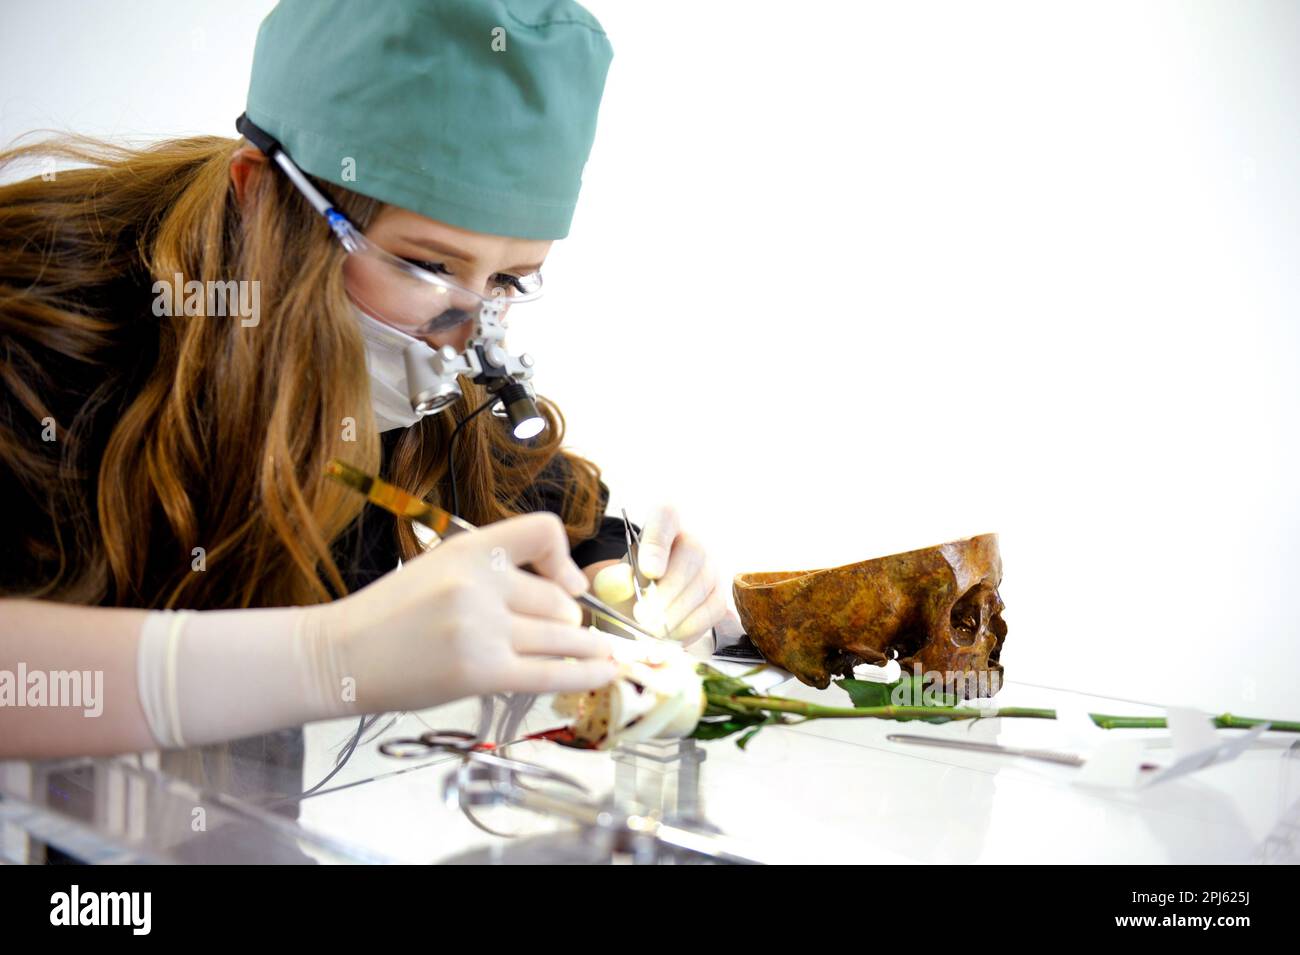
(479, 114)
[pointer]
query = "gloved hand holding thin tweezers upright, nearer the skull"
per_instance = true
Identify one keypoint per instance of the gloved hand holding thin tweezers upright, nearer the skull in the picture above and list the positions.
(684, 600)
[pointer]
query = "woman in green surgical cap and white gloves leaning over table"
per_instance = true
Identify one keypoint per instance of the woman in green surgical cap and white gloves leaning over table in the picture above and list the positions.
(171, 526)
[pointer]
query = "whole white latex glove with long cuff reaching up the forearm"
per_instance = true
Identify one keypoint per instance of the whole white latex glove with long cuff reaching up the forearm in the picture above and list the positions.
(460, 620)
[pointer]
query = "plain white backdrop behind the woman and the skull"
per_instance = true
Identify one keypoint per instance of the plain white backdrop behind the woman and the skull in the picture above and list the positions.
(851, 279)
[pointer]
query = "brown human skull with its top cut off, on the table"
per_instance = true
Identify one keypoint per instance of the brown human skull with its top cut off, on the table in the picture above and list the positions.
(937, 610)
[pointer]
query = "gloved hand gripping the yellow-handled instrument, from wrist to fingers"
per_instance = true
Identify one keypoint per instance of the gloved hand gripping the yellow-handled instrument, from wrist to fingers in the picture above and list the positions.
(463, 619)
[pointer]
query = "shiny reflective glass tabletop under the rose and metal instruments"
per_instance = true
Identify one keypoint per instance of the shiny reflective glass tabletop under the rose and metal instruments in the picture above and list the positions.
(822, 792)
